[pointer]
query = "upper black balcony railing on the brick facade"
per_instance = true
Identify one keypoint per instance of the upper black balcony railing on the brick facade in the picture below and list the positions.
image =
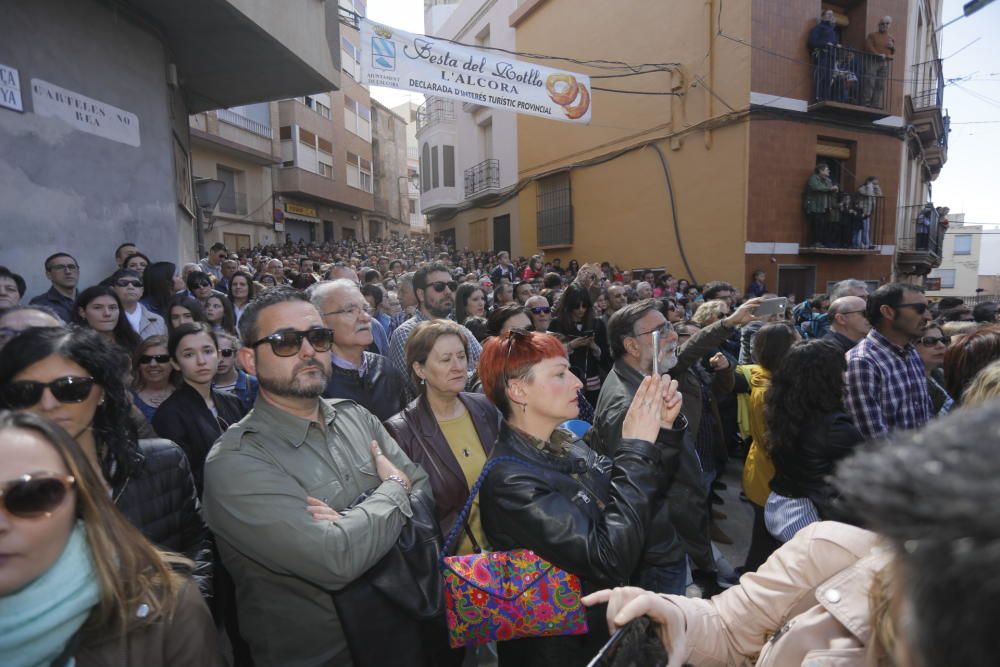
(848, 76)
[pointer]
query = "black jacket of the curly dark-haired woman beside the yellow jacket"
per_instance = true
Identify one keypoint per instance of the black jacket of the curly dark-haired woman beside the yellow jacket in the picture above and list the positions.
(803, 471)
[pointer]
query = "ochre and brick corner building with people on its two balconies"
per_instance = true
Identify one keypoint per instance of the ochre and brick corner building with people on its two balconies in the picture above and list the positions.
(700, 163)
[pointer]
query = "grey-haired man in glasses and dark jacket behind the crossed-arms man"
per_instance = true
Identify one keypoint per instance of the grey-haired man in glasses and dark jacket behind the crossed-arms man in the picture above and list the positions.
(357, 374)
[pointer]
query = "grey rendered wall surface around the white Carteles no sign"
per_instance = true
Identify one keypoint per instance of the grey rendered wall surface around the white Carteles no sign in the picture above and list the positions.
(64, 189)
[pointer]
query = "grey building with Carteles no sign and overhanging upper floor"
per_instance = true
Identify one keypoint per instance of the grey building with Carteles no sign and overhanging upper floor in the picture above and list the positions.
(96, 148)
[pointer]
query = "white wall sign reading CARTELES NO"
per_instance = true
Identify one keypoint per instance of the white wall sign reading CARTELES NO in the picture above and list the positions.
(85, 113)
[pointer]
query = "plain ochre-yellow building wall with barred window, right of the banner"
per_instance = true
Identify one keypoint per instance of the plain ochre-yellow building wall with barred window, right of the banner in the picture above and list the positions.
(621, 209)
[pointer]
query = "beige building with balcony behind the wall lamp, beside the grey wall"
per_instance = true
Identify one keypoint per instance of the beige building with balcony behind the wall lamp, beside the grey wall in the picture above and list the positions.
(238, 146)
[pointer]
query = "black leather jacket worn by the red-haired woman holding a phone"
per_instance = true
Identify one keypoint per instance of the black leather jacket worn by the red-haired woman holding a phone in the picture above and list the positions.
(586, 513)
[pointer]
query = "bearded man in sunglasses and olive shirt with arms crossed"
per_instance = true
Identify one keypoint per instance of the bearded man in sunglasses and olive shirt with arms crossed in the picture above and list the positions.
(283, 489)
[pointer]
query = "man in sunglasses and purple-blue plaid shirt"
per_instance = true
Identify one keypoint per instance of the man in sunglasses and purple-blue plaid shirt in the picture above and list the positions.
(886, 384)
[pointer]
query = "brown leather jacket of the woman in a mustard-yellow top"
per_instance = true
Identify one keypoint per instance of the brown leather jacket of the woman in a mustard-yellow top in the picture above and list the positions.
(417, 432)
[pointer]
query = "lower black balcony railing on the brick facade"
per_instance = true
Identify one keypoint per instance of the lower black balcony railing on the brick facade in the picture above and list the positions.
(843, 223)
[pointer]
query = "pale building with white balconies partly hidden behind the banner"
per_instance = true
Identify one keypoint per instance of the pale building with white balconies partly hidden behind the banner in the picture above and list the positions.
(468, 152)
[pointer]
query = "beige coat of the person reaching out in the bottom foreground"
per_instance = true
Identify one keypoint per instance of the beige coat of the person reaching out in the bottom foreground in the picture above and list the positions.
(807, 606)
